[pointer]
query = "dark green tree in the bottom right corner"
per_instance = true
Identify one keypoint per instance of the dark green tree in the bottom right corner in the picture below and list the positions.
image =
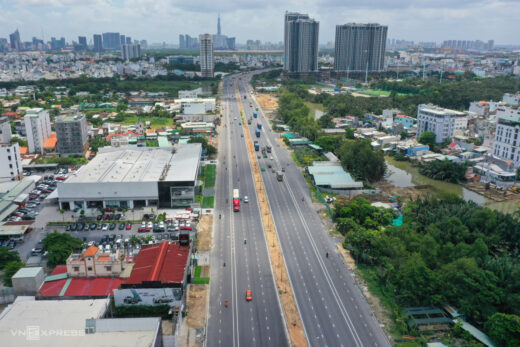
(504, 329)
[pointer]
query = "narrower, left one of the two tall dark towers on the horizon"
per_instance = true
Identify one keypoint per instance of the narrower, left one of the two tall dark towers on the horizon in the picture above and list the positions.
(301, 44)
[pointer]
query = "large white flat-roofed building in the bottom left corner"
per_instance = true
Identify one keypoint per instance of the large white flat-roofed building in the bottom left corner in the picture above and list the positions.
(59, 323)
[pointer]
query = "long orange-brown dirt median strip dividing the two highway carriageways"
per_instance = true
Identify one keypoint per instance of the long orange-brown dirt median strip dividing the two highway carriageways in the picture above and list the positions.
(290, 311)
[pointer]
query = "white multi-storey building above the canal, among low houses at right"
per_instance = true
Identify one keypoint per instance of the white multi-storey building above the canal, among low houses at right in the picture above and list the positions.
(440, 121)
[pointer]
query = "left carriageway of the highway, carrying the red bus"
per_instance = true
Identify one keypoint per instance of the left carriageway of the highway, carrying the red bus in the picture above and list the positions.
(258, 322)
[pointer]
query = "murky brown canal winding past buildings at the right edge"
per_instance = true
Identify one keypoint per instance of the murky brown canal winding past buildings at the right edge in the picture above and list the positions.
(403, 174)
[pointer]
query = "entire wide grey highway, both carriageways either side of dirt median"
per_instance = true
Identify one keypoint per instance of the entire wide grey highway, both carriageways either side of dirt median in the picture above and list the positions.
(332, 307)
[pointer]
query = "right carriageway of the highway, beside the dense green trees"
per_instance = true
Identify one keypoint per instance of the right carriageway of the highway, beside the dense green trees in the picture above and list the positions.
(332, 308)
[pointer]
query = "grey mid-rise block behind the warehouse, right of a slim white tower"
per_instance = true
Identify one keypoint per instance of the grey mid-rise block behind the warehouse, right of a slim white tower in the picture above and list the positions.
(72, 134)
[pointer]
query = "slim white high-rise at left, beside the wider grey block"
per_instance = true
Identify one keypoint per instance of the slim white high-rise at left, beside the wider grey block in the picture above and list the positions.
(38, 129)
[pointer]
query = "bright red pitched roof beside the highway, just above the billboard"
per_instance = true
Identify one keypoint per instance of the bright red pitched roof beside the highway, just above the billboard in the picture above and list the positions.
(165, 263)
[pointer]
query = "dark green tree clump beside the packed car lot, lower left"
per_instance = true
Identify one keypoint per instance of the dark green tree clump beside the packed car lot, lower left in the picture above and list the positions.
(59, 247)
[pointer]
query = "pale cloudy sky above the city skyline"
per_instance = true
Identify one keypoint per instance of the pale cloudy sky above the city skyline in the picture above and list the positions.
(164, 20)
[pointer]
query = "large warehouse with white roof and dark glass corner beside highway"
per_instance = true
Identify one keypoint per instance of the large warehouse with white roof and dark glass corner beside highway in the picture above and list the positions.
(134, 177)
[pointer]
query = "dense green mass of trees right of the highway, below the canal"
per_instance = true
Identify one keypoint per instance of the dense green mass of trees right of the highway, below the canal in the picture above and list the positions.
(448, 251)
